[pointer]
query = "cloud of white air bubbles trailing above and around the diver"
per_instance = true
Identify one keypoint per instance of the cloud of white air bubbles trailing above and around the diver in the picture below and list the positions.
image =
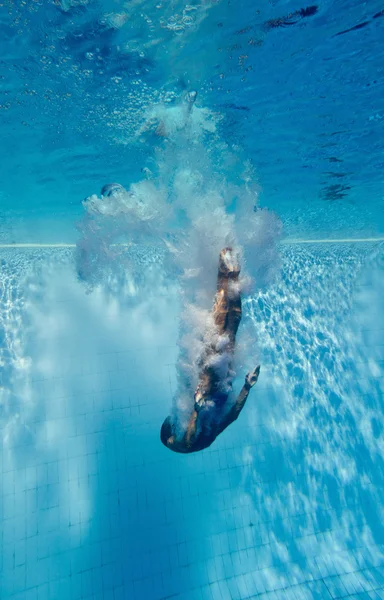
(181, 213)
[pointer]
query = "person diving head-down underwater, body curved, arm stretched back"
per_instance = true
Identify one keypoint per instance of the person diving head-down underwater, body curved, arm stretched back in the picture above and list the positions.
(209, 416)
